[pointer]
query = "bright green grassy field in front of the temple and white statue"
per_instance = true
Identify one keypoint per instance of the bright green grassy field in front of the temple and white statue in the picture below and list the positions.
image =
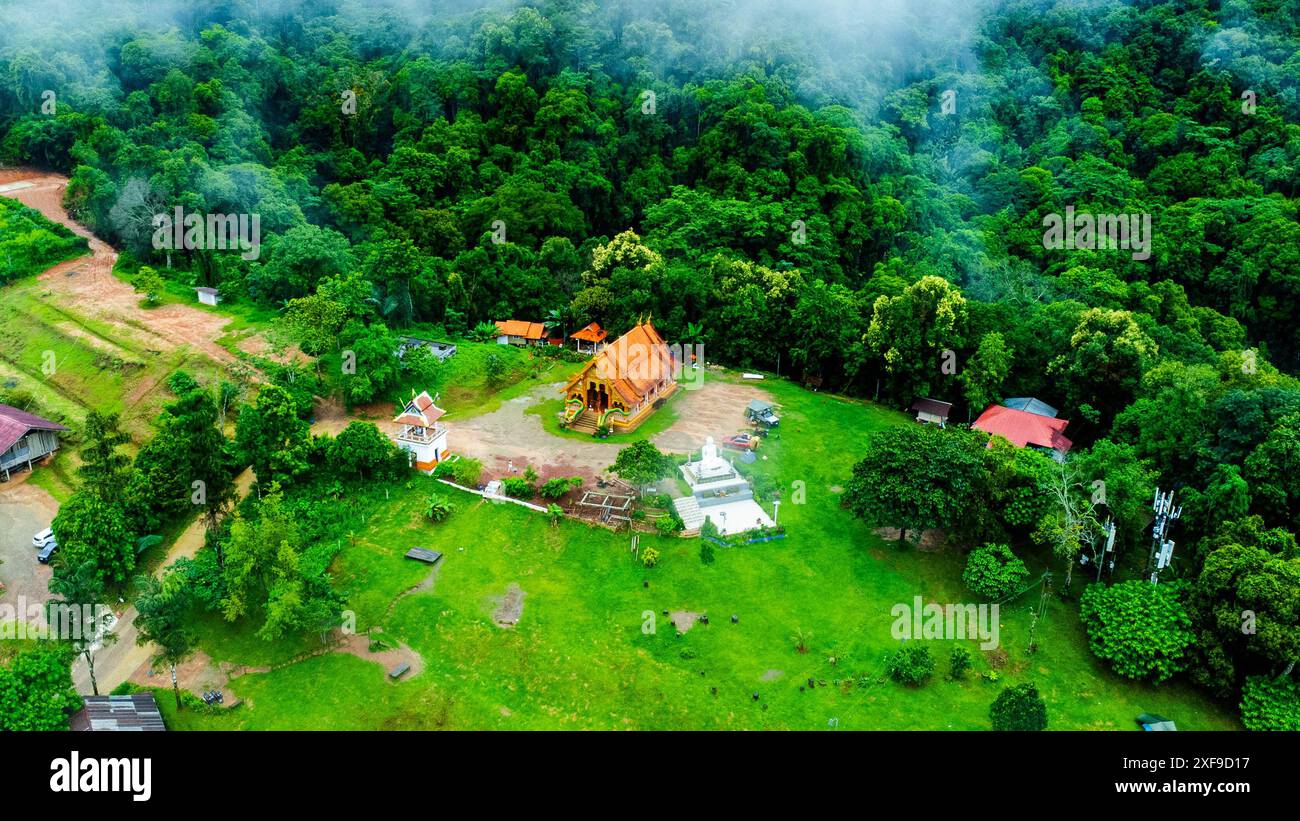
(580, 657)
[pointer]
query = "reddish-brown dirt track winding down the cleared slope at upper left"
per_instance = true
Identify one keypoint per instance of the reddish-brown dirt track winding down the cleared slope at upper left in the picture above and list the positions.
(88, 285)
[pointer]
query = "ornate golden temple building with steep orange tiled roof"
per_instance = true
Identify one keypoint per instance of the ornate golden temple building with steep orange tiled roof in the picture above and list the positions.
(622, 385)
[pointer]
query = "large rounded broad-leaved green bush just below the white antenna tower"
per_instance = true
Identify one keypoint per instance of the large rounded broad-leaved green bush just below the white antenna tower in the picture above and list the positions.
(1141, 629)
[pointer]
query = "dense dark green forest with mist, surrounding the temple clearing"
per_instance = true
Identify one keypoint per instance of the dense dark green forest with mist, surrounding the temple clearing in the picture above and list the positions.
(851, 198)
